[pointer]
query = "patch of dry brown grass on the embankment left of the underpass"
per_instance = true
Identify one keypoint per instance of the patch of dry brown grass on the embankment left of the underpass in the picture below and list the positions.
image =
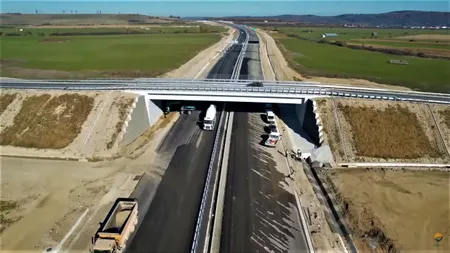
(47, 122)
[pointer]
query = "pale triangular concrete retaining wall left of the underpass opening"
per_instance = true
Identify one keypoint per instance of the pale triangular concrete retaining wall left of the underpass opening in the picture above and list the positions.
(144, 114)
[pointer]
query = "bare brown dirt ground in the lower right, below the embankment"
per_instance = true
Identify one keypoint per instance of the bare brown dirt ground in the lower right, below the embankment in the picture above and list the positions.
(395, 211)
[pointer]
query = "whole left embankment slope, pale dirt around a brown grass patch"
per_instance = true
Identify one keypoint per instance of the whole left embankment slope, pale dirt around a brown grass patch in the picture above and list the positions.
(60, 124)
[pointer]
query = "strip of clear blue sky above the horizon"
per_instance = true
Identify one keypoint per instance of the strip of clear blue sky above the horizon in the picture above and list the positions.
(220, 8)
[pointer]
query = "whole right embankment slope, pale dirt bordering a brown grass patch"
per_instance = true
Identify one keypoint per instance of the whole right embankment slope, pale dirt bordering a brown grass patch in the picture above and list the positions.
(381, 131)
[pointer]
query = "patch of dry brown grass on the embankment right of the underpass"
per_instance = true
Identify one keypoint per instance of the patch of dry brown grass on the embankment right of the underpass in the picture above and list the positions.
(391, 133)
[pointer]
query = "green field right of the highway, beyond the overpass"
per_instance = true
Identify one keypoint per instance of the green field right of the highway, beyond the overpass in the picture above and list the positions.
(328, 60)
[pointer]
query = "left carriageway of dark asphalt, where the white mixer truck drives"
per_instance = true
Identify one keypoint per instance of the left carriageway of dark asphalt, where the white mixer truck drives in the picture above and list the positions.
(169, 223)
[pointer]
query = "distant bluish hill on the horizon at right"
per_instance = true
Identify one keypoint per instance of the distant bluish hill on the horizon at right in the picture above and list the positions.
(396, 18)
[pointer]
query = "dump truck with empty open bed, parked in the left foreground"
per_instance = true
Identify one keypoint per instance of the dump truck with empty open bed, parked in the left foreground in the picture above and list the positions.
(117, 227)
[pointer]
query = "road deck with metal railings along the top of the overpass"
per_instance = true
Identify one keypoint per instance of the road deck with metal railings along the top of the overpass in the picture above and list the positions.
(220, 85)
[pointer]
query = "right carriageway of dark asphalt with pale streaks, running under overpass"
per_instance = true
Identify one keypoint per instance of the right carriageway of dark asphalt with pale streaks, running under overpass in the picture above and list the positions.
(260, 214)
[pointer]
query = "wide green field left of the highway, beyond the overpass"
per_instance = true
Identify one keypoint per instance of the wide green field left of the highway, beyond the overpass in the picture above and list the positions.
(150, 55)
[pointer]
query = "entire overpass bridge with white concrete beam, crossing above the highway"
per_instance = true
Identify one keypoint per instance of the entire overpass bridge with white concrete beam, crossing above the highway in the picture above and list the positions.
(227, 90)
